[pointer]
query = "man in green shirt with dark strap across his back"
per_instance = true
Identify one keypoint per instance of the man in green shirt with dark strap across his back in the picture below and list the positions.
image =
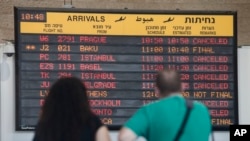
(162, 120)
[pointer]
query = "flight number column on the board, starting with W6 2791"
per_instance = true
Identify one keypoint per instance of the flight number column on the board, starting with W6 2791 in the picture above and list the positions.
(62, 67)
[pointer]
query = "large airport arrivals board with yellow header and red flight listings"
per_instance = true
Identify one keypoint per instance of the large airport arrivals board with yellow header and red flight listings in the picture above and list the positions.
(116, 53)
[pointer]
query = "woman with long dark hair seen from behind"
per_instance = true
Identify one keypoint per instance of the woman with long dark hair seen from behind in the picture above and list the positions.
(66, 115)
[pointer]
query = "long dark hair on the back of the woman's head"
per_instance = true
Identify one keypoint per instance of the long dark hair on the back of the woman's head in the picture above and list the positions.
(65, 111)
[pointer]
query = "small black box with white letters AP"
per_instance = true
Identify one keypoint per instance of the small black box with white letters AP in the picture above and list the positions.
(239, 132)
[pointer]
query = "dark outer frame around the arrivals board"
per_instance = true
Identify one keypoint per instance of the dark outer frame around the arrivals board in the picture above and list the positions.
(126, 11)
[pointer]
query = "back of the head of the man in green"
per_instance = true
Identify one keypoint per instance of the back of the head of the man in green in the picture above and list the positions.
(168, 81)
